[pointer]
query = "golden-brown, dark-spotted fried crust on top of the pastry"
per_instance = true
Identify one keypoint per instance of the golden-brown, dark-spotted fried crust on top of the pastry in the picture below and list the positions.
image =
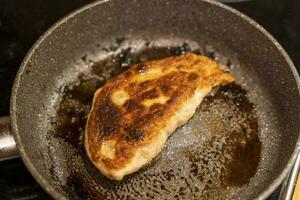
(152, 92)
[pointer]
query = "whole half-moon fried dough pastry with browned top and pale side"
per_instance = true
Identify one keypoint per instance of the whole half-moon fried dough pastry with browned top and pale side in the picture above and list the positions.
(134, 112)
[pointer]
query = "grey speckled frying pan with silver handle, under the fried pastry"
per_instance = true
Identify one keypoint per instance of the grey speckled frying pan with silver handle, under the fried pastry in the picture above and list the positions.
(83, 46)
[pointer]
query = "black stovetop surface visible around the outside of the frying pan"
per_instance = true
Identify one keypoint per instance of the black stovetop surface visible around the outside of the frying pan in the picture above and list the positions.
(22, 22)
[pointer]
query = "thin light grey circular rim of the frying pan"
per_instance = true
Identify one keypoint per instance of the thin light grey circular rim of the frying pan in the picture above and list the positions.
(13, 108)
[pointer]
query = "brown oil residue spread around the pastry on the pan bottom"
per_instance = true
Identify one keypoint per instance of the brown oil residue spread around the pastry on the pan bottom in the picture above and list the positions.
(209, 157)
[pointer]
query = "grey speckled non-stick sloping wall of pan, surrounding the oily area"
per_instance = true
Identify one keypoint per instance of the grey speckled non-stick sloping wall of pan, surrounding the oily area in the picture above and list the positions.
(261, 66)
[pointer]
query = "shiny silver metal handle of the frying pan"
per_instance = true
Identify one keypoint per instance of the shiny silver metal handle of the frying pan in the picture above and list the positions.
(8, 147)
